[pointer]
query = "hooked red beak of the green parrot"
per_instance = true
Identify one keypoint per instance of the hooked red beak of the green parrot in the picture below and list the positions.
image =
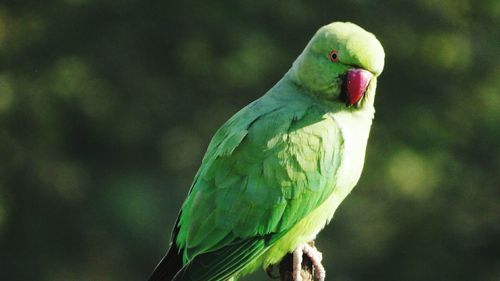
(356, 83)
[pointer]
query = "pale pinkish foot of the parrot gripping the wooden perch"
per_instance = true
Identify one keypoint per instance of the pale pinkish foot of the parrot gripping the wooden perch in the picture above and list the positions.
(314, 255)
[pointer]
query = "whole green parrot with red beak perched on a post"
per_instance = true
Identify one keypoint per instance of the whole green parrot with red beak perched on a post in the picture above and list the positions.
(274, 173)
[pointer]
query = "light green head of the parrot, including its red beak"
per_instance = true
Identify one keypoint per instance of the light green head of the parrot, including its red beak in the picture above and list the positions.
(340, 65)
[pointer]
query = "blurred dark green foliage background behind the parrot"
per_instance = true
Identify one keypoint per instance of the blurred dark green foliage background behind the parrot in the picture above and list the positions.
(106, 108)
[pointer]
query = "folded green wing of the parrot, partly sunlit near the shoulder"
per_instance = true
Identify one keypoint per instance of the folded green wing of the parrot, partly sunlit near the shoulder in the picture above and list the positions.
(266, 168)
